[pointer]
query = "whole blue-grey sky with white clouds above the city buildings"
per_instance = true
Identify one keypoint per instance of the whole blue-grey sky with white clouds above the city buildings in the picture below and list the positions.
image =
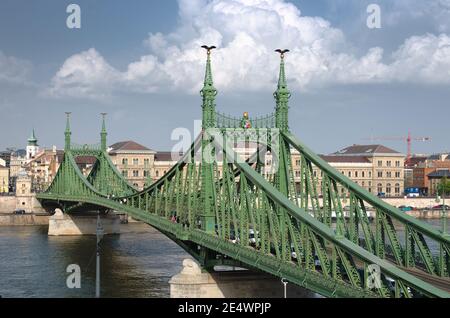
(141, 62)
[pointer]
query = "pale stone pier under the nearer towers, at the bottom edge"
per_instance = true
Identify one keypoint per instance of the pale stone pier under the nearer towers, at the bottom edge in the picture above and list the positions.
(193, 282)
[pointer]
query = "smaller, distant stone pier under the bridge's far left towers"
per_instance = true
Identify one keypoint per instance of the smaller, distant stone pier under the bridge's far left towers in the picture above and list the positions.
(61, 224)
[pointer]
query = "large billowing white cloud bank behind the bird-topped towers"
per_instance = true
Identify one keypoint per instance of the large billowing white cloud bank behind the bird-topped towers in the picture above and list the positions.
(247, 32)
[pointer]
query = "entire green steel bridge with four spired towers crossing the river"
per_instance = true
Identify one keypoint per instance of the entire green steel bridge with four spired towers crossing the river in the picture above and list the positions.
(221, 200)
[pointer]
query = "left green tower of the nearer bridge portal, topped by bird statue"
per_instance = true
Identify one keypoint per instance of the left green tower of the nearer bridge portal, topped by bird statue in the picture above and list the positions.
(208, 94)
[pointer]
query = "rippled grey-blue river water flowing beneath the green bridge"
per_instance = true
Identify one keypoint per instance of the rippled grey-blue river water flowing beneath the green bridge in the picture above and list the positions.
(137, 263)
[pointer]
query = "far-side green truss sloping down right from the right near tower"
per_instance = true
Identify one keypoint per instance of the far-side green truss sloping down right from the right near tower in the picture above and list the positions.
(418, 236)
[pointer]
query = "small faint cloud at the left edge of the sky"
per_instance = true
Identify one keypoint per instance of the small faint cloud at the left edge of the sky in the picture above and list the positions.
(14, 70)
